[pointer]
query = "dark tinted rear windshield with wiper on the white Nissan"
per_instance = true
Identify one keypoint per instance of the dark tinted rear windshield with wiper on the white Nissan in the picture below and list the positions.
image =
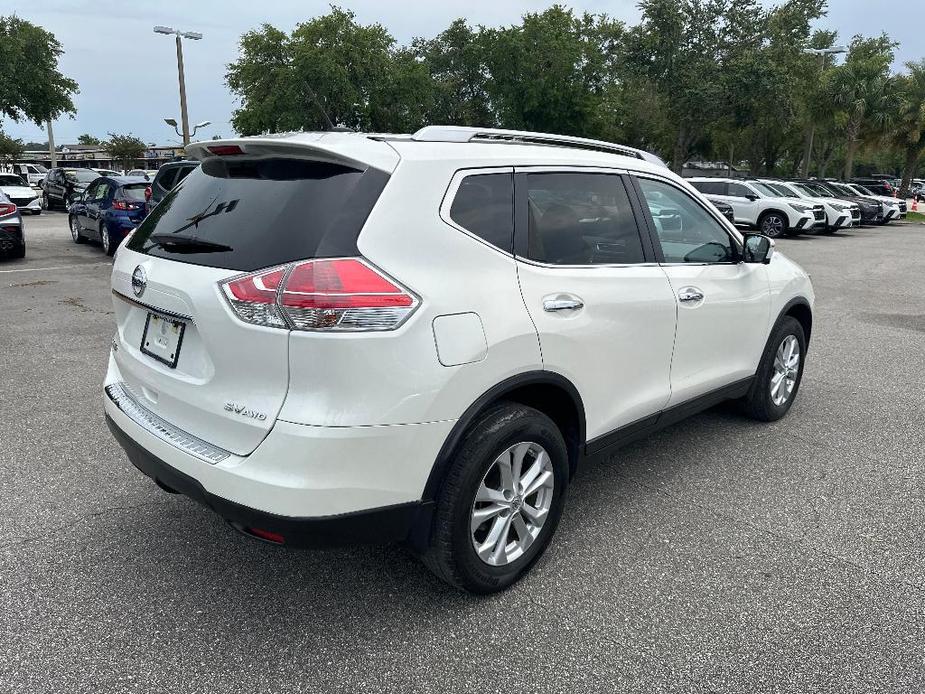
(245, 214)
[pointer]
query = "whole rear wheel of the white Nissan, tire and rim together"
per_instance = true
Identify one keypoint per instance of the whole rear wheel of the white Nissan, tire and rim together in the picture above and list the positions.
(501, 501)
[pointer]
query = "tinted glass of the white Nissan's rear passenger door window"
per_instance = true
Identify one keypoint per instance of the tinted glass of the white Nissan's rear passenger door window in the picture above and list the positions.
(581, 219)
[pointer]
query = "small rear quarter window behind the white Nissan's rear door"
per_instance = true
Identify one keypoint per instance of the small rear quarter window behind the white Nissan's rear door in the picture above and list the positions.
(484, 205)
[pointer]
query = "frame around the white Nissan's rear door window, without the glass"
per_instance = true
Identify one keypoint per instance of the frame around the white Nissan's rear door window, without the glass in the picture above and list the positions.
(522, 216)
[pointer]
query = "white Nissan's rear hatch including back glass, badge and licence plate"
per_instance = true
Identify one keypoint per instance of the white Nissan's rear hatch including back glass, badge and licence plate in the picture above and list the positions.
(181, 351)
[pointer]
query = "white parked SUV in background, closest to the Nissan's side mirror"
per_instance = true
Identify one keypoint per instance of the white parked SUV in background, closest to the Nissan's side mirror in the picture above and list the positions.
(757, 207)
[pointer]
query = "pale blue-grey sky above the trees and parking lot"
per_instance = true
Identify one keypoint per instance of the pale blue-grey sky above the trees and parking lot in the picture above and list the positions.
(128, 74)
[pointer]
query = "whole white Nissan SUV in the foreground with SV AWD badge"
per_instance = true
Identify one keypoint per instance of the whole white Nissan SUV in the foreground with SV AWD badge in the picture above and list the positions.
(338, 337)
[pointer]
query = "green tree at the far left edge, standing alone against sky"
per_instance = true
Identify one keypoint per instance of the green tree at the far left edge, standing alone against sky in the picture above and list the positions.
(31, 86)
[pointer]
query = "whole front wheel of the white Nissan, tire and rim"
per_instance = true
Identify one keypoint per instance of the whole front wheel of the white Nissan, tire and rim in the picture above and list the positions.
(779, 373)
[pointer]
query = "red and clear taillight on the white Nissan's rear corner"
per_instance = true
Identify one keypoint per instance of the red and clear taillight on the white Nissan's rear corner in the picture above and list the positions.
(339, 294)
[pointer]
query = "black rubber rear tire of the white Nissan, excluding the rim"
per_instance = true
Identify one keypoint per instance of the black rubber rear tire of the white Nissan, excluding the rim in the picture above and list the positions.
(451, 554)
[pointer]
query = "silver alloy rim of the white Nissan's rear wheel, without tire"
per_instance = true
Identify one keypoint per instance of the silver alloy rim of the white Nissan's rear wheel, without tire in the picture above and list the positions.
(512, 503)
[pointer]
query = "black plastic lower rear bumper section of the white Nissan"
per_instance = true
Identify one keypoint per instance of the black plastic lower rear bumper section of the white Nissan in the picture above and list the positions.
(379, 525)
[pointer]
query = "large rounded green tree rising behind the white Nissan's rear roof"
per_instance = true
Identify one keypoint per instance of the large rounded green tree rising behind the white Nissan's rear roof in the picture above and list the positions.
(329, 72)
